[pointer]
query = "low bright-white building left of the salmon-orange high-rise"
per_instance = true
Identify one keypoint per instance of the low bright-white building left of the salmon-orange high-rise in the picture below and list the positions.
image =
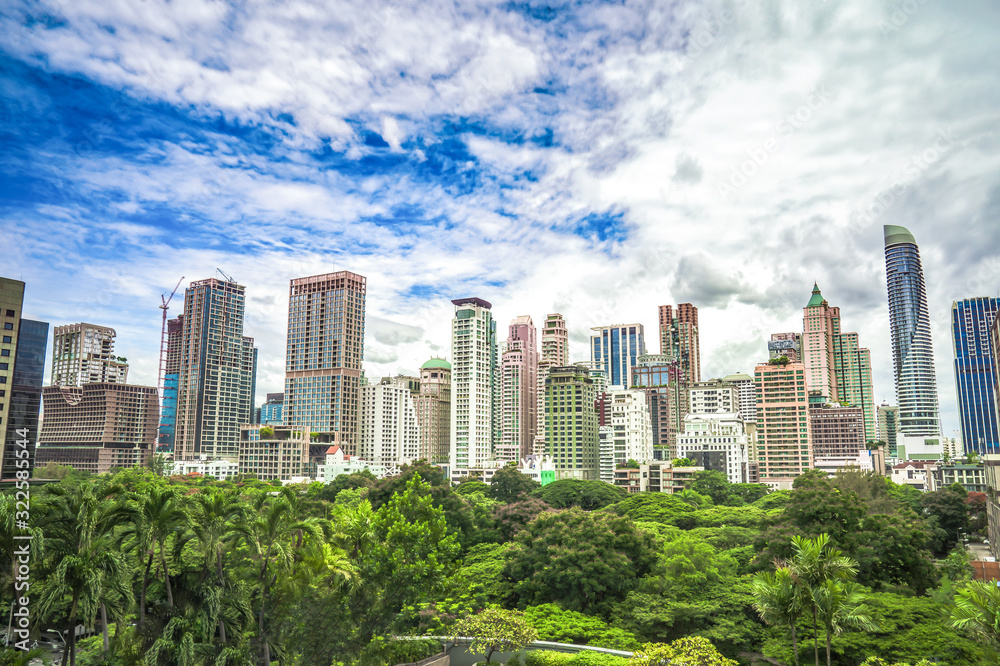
(707, 435)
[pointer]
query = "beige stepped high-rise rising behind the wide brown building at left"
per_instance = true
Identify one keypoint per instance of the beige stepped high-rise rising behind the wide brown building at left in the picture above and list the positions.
(85, 354)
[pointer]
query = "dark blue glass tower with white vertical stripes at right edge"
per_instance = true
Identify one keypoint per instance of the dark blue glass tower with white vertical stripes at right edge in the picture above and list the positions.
(975, 372)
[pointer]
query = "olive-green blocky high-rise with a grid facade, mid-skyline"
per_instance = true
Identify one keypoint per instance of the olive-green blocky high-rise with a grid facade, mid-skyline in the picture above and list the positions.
(571, 433)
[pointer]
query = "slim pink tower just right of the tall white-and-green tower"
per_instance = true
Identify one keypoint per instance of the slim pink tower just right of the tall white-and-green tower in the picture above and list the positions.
(518, 391)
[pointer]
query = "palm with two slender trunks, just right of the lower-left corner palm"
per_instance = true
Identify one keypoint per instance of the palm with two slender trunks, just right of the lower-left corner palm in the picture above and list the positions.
(153, 518)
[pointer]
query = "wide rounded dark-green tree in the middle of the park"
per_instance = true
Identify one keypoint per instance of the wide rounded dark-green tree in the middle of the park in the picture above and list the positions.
(584, 560)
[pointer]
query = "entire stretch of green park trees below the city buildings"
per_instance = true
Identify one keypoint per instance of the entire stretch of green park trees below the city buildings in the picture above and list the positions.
(192, 570)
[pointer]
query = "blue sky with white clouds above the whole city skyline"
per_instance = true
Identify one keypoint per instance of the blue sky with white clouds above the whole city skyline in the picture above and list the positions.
(594, 159)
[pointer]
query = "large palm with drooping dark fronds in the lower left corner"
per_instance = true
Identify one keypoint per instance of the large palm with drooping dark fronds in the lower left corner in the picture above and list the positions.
(89, 569)
